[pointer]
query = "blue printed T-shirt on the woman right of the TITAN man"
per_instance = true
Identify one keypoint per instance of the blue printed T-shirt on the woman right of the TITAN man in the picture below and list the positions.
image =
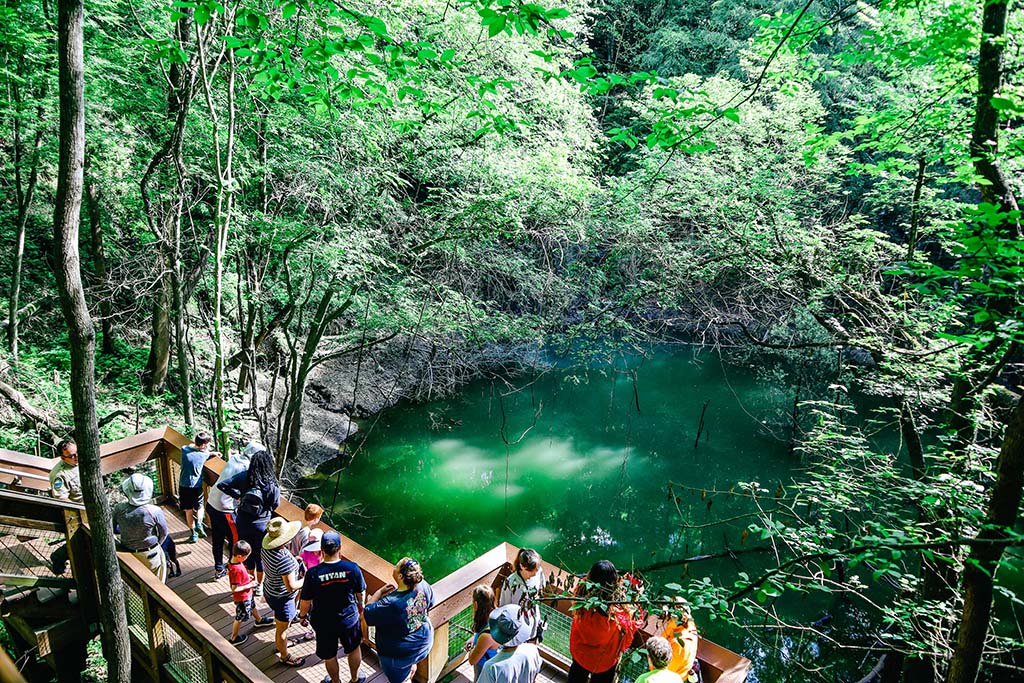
(404, 629)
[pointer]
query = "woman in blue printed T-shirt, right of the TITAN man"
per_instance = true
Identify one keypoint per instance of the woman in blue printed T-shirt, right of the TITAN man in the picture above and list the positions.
(405, 634)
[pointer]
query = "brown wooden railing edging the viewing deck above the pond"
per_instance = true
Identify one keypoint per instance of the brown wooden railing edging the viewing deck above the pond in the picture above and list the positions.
(164, 627)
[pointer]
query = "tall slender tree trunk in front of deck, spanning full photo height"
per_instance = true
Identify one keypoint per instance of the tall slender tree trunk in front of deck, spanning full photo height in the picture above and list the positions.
(82, 337)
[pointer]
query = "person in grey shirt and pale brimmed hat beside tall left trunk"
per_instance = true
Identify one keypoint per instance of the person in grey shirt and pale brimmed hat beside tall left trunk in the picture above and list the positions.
(143, 527)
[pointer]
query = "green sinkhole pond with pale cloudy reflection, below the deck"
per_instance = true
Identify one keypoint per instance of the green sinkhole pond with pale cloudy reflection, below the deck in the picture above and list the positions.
(575, 461)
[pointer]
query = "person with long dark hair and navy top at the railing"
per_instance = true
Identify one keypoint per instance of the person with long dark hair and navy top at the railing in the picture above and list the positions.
(260, 495)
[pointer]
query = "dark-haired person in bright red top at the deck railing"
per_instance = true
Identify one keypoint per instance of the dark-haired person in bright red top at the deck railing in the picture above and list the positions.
(601, 635)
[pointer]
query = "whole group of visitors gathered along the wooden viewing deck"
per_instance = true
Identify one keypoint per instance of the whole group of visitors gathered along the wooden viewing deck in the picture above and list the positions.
(298, 570)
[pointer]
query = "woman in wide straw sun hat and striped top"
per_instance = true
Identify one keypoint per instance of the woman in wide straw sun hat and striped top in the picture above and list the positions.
(281, 582)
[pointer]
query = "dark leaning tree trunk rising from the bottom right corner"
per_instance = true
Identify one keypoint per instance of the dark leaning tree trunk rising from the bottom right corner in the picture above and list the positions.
(979, 571)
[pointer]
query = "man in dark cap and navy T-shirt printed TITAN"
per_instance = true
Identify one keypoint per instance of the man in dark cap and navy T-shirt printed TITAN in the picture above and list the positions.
(333, 595)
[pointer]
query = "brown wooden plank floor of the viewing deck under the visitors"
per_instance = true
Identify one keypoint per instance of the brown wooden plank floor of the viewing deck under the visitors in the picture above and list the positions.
(211, 600)
